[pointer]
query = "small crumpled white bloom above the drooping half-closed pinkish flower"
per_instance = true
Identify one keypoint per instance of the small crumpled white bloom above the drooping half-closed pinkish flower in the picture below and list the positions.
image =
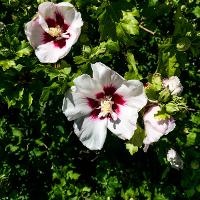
(174, 85)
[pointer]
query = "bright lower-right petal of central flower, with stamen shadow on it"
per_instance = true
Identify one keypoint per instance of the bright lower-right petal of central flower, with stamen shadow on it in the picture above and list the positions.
(125, 125)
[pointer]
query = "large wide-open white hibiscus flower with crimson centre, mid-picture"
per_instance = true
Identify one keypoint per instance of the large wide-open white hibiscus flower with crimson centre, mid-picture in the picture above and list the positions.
(104, 101)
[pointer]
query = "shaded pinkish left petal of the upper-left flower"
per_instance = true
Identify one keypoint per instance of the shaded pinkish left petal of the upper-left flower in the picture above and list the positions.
(34, 32)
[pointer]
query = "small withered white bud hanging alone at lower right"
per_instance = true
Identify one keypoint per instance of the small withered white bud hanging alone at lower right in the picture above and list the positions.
(174, 159)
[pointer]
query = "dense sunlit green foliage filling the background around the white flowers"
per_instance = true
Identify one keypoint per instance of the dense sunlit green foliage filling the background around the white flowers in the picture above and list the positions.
(41, 157)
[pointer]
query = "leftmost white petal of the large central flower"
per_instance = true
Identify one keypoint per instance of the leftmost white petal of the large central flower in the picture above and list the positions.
(75, 105)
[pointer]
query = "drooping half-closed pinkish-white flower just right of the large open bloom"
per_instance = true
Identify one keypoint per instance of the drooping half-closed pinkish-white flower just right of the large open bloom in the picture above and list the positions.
(155, 128)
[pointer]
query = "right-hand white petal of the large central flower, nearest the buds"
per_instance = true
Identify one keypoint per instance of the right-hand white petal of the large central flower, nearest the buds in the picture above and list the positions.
(133, 93)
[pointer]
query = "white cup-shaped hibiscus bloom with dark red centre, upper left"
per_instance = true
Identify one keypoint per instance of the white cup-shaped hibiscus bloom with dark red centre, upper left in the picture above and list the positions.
(54, 30)
